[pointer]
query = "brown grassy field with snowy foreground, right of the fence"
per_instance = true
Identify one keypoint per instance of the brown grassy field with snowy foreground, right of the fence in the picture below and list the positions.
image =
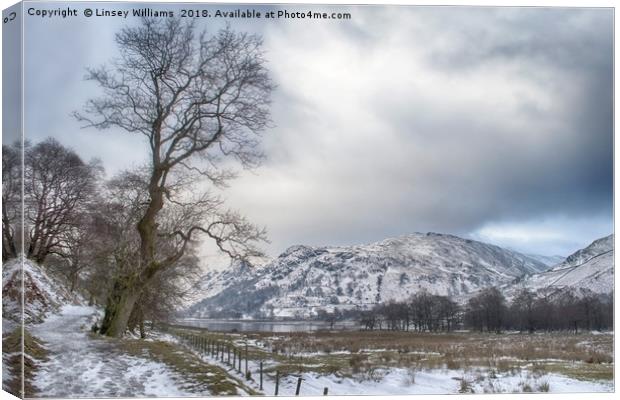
(383, 363)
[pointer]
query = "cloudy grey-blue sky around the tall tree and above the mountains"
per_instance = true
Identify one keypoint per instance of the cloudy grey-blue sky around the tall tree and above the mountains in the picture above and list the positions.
(489, 123)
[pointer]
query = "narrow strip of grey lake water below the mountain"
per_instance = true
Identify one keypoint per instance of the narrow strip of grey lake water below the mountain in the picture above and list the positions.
(223, 325)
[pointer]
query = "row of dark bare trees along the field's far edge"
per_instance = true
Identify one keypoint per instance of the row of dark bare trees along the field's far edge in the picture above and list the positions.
(489, 311)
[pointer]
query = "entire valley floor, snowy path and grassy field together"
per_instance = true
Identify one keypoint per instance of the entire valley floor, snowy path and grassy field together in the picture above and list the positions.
(177, 363)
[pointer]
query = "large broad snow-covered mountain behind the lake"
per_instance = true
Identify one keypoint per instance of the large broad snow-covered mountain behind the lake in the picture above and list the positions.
(304, 279)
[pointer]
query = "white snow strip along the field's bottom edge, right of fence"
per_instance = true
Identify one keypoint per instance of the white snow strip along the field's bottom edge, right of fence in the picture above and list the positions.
(401, 381)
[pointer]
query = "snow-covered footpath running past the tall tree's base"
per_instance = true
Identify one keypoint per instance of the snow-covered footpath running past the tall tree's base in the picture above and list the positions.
(79, 366)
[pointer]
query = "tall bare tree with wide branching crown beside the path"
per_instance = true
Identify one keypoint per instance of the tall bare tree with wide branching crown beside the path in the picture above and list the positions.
(196, 100)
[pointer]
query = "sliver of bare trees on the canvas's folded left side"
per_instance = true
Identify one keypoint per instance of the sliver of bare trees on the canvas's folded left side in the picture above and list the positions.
(11, 199)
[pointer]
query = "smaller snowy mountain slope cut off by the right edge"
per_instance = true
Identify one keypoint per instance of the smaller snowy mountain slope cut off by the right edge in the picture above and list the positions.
(591, 268)
